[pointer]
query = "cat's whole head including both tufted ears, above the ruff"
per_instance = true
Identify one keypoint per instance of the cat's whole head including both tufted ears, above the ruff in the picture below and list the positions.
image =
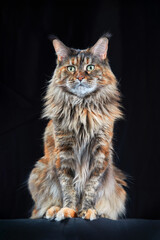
(82, 72)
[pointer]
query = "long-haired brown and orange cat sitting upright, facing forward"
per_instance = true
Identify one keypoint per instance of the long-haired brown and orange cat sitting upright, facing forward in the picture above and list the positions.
(76, 177)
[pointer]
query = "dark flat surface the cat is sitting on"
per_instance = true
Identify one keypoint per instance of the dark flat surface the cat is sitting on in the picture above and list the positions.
(76, 229)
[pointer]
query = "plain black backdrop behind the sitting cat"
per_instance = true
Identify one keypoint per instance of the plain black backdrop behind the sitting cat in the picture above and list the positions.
(27, 64)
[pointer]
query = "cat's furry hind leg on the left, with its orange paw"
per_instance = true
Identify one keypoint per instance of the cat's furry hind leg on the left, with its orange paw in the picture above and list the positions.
(45, 190)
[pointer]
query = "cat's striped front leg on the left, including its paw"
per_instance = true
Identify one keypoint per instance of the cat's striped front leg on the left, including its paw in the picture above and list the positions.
(65, 165)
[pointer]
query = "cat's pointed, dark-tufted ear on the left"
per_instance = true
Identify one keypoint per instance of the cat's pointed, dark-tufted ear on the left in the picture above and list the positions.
(61, 49)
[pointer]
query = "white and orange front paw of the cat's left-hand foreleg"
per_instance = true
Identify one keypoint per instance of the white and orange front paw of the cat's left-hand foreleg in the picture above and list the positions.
(65, 213)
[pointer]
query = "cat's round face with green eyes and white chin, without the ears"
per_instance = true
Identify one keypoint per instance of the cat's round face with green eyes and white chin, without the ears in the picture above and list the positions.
(81, 74)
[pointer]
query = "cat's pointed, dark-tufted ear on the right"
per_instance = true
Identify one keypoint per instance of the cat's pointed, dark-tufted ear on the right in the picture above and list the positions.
(100, 48)
